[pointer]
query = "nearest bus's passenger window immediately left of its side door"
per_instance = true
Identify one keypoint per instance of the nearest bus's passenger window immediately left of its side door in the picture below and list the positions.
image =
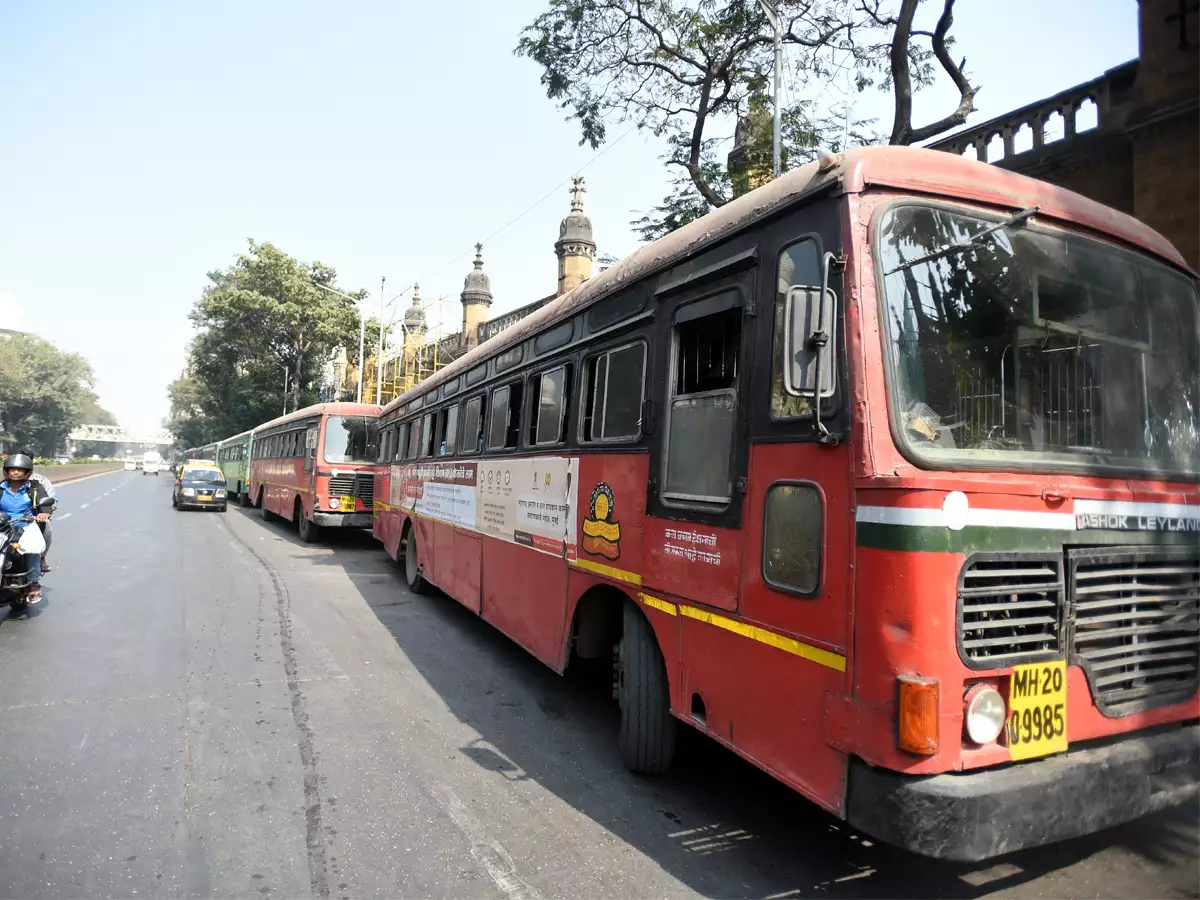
(614, 391)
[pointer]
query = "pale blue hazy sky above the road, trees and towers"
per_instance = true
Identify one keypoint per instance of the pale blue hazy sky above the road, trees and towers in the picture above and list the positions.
(143, 142)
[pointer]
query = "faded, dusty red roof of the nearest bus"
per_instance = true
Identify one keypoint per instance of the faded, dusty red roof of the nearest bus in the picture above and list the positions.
(905, 169)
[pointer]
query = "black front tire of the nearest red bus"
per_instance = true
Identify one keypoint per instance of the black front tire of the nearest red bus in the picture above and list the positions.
(647, 734)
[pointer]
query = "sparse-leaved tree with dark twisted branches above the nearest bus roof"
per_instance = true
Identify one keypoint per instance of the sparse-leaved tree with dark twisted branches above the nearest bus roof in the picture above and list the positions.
(693, 74)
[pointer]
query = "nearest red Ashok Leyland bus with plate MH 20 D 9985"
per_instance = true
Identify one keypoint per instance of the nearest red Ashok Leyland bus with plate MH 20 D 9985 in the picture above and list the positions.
(884, 476)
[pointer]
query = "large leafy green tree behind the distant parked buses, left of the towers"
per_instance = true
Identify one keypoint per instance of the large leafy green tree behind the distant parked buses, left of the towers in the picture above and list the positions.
(257, 320)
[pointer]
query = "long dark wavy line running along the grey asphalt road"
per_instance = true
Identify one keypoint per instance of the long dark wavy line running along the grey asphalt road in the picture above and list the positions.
(319, 867)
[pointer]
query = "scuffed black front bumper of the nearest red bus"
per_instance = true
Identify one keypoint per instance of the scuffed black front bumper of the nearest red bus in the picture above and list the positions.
(979, 815)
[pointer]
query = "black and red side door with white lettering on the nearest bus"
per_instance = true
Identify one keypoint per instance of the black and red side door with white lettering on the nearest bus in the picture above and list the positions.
(697, 491)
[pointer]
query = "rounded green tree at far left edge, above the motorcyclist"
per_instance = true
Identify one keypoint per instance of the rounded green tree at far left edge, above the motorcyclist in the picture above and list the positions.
(45, 393)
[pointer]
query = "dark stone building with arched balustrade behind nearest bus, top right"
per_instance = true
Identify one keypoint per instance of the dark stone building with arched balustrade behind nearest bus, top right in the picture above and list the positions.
(1130, 139)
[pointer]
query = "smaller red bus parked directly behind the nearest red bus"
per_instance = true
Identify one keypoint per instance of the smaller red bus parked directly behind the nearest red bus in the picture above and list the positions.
(314, 467)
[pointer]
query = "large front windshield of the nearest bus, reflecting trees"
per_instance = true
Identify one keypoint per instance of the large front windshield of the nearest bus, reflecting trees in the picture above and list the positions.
(1035, 347)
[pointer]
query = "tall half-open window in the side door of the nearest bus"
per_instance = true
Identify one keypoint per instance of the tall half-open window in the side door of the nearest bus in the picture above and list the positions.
(704, 401)
